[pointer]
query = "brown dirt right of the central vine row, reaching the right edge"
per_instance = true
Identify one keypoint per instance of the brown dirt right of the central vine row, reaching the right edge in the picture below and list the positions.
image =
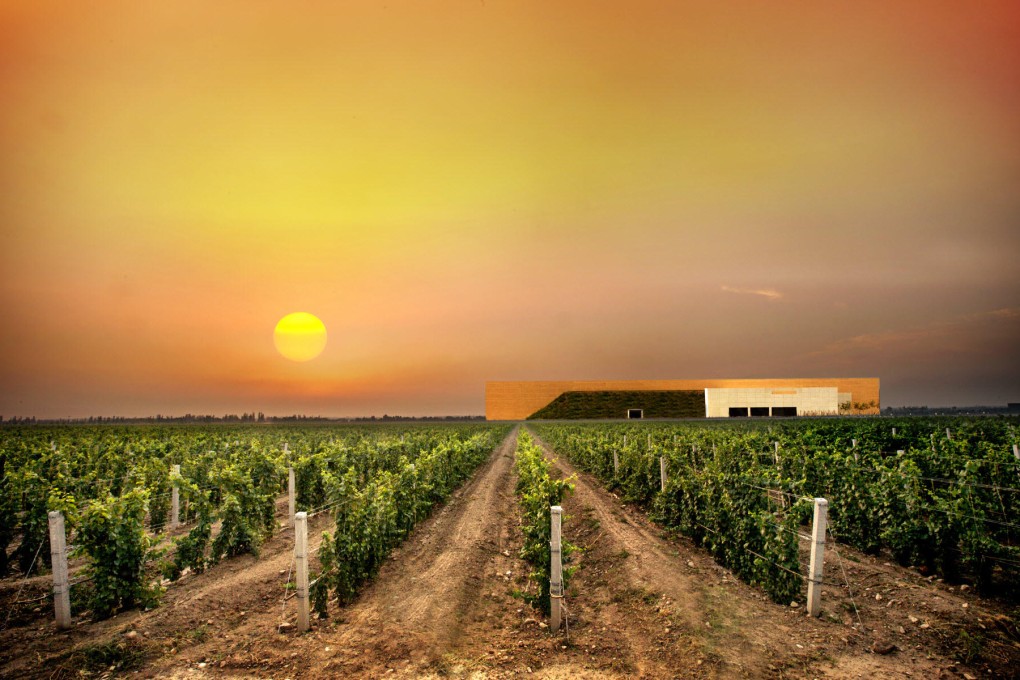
(734, 631)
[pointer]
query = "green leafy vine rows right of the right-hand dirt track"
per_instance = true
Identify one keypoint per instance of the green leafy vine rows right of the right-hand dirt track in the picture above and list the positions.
(943, 501)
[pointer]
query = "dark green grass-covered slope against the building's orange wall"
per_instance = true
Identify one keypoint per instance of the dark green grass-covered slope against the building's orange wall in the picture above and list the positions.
(596, 405)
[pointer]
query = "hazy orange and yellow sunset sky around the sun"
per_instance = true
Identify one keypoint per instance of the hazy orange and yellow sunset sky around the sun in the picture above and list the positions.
(473, 191)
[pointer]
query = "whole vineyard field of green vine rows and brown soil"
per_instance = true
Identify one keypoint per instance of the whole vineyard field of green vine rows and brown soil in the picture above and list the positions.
(425, 527)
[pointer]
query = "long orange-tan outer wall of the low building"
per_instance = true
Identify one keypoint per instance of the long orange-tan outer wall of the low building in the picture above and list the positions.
(519, 400)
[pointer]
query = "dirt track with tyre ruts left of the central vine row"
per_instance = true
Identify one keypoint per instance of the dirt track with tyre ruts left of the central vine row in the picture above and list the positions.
(419, 606)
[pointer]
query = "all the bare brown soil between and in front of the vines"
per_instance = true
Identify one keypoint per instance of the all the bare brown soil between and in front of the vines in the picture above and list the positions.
(451, 603)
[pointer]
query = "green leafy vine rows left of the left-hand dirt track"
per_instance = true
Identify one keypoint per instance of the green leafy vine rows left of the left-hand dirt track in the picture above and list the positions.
(115, 488)
